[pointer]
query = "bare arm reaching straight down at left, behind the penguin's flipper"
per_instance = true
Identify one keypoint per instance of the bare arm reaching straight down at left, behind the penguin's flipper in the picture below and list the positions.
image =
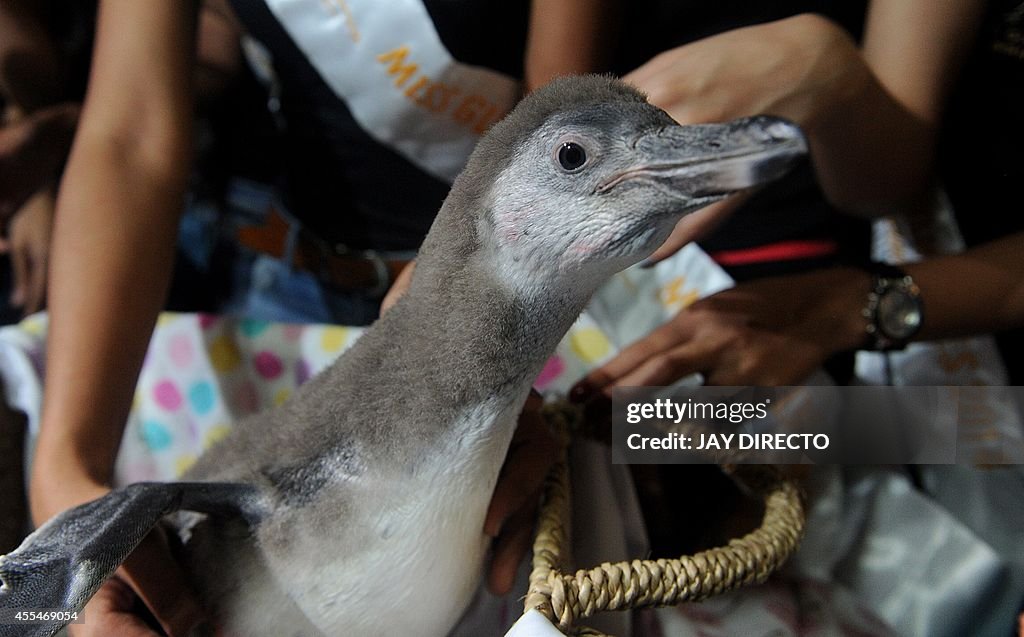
(113, 246)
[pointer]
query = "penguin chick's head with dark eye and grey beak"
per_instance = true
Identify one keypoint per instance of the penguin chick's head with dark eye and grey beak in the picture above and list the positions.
(585, 178)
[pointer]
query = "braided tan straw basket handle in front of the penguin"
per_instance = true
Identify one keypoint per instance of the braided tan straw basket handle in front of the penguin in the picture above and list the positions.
(641, 583)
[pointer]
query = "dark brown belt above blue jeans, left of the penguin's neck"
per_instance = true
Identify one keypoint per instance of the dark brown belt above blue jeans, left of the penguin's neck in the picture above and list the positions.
(338, 266)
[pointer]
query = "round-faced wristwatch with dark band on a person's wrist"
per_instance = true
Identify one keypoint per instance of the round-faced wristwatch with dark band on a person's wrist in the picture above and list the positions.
(894, 311)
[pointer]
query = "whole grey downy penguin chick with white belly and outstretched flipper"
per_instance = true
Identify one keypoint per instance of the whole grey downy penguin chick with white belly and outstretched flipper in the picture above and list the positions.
(357, 508)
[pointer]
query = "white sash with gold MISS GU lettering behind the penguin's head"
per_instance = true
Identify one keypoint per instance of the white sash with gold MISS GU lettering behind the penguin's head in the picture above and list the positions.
(388, 63)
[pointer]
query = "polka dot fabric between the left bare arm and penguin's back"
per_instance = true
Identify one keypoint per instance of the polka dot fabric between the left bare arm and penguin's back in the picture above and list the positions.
(204, 373)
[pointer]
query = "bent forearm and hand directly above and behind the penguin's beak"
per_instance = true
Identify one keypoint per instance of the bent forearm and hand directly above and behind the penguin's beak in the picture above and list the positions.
(872, 153)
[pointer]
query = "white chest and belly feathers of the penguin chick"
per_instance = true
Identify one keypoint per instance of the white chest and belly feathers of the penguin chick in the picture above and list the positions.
(398, 553)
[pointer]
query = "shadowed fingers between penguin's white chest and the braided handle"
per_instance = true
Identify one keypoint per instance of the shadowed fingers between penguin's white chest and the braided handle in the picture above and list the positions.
(514, 507)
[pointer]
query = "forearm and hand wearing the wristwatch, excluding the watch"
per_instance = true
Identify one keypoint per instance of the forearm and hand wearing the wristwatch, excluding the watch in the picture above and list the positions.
(777, 331)
